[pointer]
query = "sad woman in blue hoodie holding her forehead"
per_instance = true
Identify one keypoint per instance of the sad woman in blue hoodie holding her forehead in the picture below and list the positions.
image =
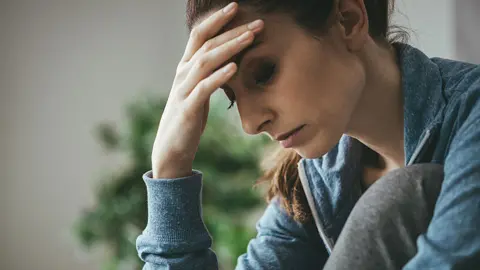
(386, 141)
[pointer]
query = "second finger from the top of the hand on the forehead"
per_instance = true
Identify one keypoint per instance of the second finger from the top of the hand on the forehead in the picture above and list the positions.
(255, 26)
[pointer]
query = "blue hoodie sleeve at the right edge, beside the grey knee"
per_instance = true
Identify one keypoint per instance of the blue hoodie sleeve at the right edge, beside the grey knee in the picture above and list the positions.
(452, 240)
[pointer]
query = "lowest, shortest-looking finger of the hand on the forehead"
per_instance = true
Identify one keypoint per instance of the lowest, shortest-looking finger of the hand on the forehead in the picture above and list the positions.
(202, 92)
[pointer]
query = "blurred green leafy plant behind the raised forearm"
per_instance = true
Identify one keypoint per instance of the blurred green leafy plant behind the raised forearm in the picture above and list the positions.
(228, 159)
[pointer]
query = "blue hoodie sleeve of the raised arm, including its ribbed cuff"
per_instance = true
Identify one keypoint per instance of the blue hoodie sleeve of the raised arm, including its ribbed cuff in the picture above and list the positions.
(176, 237)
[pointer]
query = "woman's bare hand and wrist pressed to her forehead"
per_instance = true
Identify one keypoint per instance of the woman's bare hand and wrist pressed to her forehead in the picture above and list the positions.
(199, 74)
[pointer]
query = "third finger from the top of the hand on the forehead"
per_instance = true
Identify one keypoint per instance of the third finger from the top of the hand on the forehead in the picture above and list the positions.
(212, 60)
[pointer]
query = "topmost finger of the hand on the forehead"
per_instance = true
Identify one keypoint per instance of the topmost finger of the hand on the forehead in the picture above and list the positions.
(208, 28)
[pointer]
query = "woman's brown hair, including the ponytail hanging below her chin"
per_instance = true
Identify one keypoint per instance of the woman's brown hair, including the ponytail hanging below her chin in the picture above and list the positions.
(280, 167)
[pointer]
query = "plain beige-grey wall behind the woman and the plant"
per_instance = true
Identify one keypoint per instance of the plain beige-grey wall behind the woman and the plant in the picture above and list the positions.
(67, 65)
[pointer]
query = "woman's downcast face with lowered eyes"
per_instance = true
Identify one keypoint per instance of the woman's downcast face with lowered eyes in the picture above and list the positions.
(291, 80)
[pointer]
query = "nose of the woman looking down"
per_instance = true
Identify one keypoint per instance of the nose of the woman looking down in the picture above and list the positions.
(255, 117)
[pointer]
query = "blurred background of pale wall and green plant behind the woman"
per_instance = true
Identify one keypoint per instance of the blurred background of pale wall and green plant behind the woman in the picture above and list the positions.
(81, 85)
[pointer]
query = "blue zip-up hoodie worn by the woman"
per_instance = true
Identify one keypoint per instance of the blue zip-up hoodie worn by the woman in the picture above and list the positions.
(442, 125)
